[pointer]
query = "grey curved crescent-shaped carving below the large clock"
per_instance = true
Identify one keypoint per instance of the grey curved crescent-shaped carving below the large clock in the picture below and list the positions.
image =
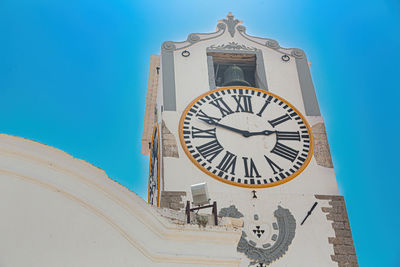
(268, 254)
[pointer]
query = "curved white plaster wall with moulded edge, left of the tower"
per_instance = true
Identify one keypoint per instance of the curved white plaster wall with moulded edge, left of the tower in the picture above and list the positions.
(60, 211)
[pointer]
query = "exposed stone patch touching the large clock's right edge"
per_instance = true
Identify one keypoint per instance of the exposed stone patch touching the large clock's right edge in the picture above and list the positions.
(322, 153)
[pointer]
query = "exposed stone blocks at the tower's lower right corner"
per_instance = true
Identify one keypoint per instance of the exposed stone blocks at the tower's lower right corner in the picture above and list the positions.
(343, 246)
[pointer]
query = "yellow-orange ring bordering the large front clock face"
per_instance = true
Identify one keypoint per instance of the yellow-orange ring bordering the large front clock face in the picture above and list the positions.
(289, 178)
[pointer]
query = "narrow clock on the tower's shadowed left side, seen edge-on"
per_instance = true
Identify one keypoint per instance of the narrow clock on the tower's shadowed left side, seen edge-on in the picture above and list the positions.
(154, 168)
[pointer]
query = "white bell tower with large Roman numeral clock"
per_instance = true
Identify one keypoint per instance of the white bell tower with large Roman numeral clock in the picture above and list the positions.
(240, 113)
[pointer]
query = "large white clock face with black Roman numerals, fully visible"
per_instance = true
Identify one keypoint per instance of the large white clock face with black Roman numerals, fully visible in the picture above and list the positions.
(246, 137)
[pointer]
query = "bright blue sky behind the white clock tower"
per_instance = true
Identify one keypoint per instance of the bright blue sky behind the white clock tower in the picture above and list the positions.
(73, 75)
